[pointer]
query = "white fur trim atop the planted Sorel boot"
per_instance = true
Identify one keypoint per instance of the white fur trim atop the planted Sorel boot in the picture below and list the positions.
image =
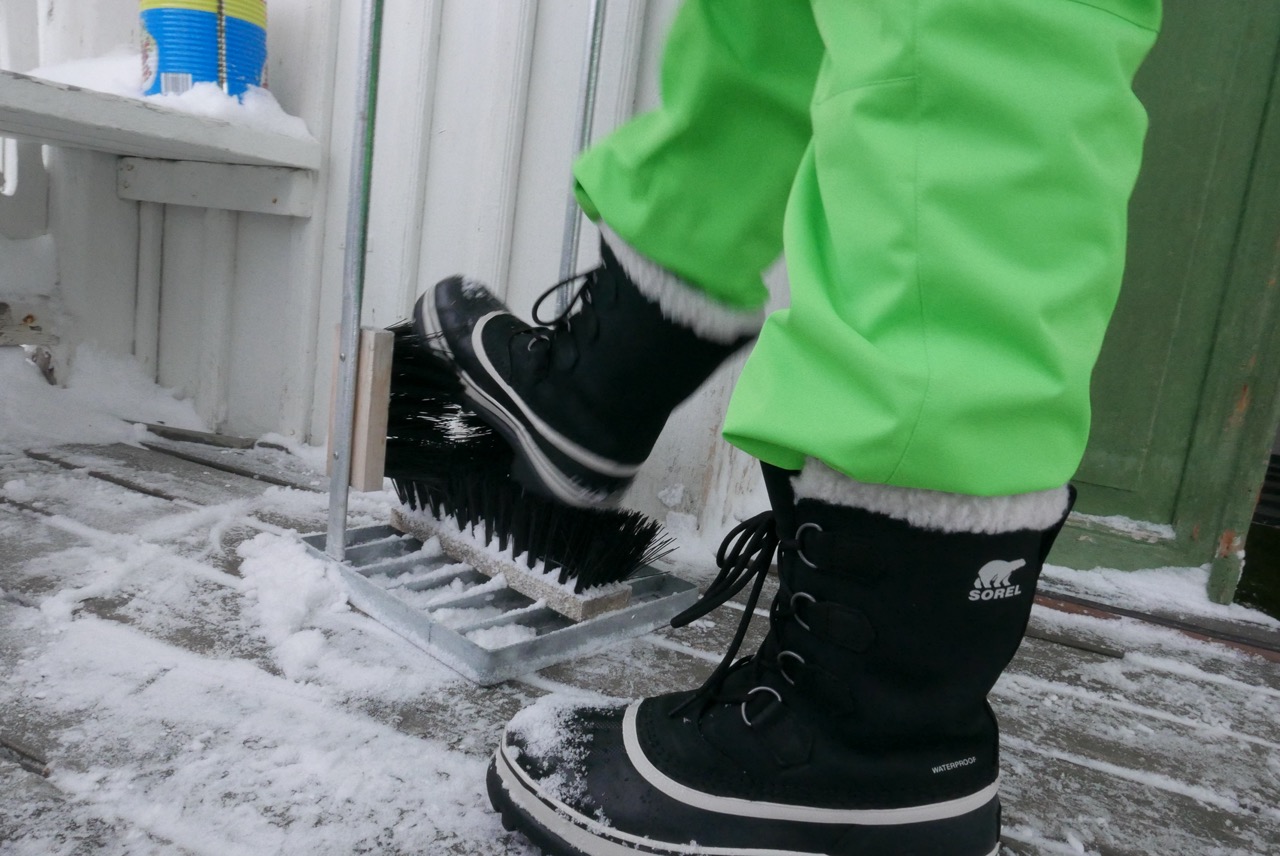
(934, 509)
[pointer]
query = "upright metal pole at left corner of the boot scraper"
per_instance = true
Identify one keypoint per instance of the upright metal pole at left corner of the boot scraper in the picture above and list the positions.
(354, 272)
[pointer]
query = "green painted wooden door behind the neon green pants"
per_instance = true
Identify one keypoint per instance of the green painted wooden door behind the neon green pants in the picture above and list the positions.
(1186, 391)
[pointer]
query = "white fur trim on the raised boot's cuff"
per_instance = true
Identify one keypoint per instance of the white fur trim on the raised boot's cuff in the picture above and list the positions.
(682, 301)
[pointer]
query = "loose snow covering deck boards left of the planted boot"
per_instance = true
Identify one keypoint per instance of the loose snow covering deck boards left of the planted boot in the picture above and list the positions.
(223, 715)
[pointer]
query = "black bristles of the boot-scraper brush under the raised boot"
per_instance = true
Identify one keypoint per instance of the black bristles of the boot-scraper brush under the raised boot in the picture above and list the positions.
(446, 461)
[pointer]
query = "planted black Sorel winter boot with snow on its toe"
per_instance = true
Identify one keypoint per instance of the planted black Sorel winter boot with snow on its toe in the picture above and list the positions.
(860, 729)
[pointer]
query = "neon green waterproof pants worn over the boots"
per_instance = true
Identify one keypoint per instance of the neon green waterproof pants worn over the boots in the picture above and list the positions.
(949, 182)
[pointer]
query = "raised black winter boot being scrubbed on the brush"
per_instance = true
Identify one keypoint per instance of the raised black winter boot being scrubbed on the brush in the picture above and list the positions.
(584, 399)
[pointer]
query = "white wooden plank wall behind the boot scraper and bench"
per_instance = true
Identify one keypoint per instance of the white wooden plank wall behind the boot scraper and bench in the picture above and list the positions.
(473, 148)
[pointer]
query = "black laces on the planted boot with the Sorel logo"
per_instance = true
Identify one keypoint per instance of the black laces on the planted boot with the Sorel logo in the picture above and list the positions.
(744, 556)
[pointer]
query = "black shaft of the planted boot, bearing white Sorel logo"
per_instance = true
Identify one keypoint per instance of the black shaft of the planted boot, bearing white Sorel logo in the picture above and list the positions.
(908, 629)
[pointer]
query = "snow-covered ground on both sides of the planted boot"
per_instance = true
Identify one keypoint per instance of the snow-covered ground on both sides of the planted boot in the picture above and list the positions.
(202, 686)
